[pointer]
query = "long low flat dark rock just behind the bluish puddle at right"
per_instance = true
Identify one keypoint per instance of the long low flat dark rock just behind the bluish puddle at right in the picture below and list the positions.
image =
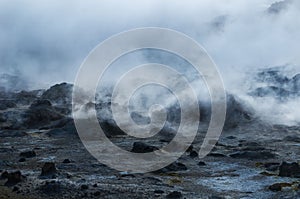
(252, 155)
